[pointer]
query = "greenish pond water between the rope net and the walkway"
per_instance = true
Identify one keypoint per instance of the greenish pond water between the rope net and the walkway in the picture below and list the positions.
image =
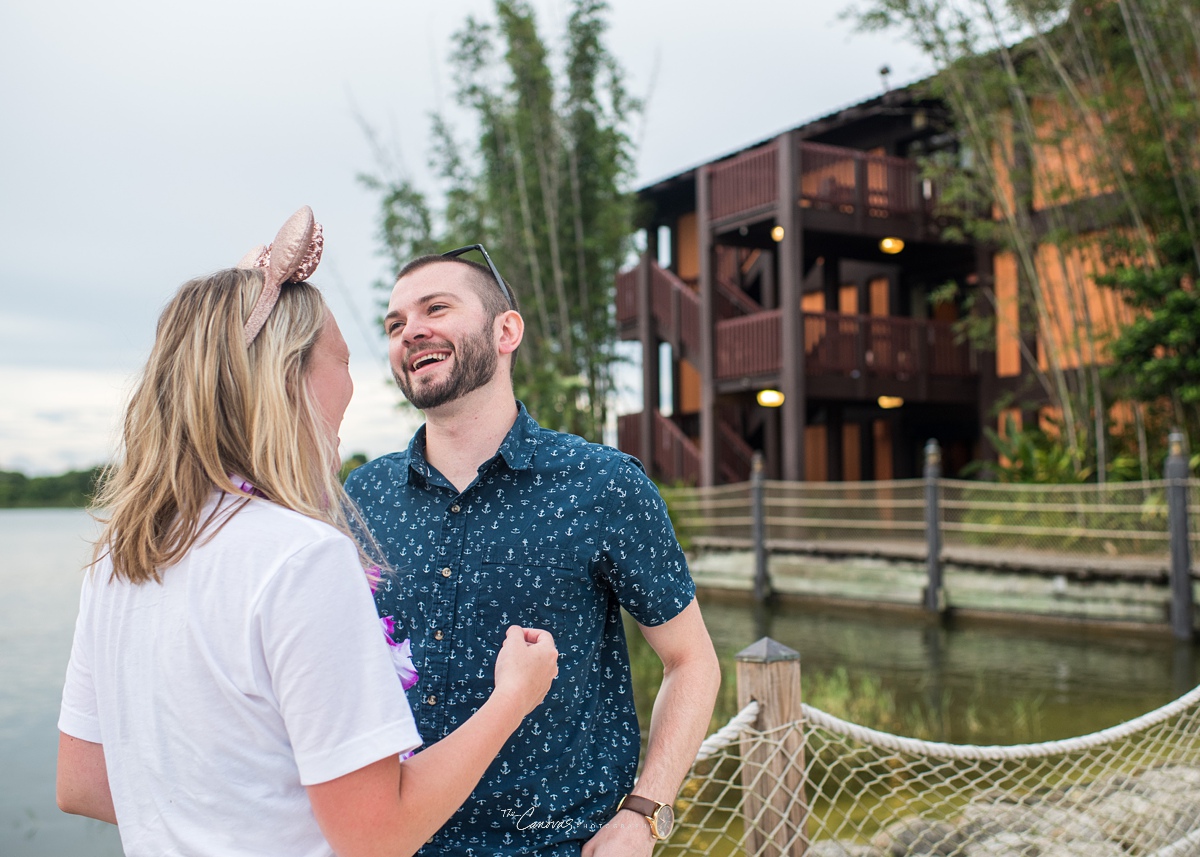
(985, 685)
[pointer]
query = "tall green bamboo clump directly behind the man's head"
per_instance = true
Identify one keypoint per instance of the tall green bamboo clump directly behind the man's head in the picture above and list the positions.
(544, 185)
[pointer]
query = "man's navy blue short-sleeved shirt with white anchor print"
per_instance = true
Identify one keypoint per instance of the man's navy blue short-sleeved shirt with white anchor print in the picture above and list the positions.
(556, 534)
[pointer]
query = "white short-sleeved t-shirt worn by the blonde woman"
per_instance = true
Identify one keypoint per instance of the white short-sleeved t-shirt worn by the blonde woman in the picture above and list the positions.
(259, 667)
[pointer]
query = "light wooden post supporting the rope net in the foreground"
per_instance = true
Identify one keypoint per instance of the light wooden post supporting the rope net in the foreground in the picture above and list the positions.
(775, 805)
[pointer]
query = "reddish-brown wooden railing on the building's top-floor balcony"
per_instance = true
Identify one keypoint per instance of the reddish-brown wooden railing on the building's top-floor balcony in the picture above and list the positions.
(832, 178)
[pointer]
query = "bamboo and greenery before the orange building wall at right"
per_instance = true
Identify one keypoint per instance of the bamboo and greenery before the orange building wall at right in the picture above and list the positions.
(1084, 118)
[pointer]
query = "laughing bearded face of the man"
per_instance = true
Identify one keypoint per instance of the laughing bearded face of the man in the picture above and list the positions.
(441, 343)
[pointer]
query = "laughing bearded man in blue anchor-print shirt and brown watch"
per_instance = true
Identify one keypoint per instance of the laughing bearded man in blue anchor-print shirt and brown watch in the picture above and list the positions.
(490, 520)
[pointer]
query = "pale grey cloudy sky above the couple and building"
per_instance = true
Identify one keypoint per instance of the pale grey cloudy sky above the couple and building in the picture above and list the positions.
(146, 142)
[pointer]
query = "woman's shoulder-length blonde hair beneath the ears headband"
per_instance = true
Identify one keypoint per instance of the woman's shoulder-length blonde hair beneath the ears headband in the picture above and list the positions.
(208, 407)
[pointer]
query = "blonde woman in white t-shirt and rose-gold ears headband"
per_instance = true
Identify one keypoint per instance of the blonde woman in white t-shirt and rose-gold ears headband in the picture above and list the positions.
(231, 691)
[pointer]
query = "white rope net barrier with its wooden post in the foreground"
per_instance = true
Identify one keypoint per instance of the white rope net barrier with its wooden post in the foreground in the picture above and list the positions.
(827, 788)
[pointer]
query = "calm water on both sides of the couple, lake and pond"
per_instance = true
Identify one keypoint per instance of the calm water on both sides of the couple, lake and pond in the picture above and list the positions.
(977, 686)
